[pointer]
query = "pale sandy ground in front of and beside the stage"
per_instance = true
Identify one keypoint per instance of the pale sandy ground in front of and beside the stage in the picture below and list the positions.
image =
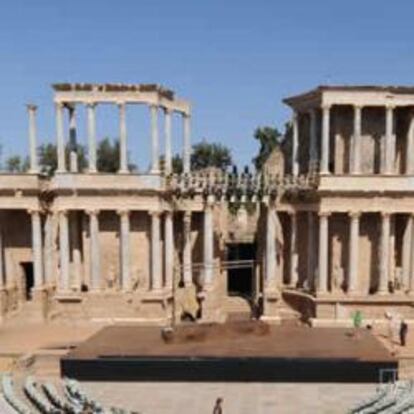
(161, 398)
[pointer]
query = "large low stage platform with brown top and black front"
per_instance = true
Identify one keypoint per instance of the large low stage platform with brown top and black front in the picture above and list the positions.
(244, 351)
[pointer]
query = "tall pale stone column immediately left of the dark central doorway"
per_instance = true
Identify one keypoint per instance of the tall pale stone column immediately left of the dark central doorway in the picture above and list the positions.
(208, 242)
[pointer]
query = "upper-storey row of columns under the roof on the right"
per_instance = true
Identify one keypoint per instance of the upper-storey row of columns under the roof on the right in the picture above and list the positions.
(387, 161)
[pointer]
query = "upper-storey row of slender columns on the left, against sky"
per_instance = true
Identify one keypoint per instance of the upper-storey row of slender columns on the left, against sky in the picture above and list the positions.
(123, 145)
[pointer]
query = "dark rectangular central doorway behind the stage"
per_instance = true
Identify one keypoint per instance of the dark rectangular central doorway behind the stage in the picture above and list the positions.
(240, 277)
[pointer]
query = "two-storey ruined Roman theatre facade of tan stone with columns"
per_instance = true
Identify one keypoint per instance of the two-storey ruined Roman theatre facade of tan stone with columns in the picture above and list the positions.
(324, 230)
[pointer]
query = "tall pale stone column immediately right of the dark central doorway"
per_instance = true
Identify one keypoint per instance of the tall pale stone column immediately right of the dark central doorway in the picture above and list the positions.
(270, 261)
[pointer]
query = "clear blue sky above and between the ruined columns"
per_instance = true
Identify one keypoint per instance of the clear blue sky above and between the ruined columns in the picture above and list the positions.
(234, 60)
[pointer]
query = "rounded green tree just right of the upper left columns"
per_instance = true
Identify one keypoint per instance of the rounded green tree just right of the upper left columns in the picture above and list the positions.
(205, 154)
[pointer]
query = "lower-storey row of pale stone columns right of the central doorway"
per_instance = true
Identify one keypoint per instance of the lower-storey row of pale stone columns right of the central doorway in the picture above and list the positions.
(318, 277)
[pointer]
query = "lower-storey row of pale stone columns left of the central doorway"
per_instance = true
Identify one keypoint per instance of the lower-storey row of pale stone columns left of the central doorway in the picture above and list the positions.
(161, 277)
